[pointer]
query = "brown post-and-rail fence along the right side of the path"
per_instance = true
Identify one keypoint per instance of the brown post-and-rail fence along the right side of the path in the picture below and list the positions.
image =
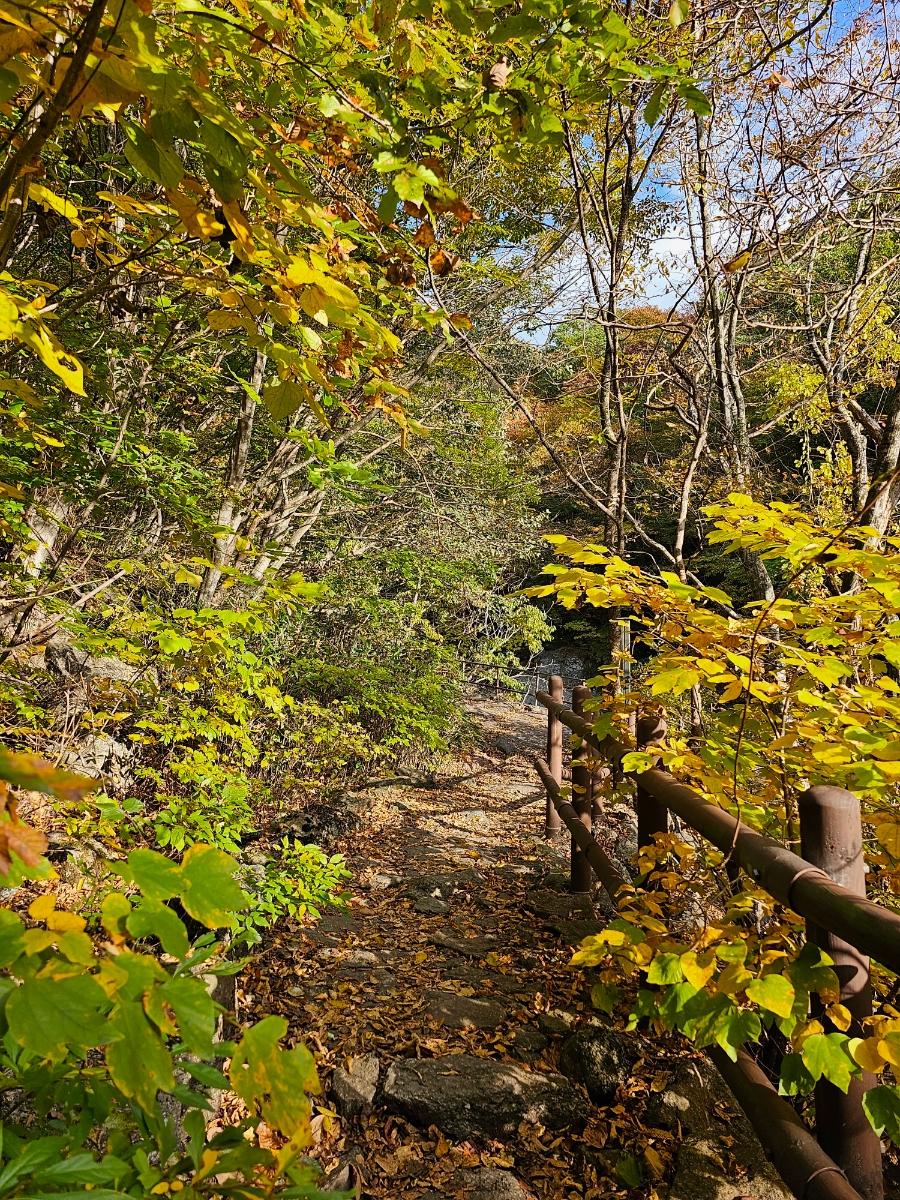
(826, 886)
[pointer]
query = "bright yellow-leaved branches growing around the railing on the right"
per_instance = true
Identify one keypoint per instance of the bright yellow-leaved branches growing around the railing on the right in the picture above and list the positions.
(800, 691)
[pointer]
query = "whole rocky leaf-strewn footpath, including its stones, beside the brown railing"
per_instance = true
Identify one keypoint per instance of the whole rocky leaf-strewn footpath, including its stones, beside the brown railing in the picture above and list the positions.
(460, 1053)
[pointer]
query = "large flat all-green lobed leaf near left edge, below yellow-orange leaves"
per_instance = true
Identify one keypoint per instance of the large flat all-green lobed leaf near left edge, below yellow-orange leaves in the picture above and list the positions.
(50, 1016)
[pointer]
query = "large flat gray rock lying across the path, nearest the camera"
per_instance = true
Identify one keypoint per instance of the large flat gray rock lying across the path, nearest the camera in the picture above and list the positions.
(461, 1095)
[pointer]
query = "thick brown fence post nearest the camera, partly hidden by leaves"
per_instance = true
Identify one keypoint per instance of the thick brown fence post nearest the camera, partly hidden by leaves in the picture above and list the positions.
(832, 839)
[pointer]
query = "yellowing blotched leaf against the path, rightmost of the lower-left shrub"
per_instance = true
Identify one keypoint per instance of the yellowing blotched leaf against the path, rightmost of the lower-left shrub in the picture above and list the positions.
(274, 1078)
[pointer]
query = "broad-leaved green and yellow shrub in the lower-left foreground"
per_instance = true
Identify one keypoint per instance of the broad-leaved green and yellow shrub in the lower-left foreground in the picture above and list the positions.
(95, 1028)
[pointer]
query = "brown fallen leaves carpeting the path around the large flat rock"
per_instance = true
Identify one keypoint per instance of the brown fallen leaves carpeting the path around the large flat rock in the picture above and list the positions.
(363, 981)
